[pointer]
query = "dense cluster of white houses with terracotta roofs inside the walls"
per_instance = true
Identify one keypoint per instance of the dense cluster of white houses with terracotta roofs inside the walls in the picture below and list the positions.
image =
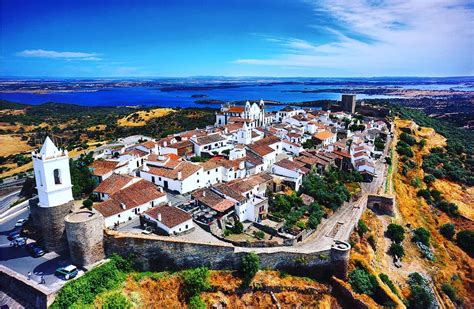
(224, 174)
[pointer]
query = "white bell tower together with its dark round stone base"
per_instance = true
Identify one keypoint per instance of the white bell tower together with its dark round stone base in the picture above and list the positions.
(55, 201)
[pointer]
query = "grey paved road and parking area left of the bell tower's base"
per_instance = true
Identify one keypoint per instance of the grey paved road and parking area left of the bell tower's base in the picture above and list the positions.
(19, 260)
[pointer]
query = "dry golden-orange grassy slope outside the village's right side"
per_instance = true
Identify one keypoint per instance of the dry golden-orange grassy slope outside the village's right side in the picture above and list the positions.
(413, 210)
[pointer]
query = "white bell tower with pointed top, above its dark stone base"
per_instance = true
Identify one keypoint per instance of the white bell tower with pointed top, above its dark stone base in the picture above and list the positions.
(53, 179)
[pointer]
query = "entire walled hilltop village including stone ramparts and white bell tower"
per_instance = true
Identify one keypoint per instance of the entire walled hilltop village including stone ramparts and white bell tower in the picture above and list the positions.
(289, 186)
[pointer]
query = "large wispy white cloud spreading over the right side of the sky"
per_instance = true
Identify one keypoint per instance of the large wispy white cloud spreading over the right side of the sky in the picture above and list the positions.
(393, 37)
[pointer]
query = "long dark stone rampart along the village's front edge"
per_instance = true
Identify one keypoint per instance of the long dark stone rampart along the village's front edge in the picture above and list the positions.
(157, 254)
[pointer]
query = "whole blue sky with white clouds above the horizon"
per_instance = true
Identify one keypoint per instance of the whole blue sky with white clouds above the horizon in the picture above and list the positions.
(236, 38)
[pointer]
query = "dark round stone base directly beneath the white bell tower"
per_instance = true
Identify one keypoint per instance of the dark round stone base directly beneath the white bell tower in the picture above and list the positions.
(49, 221)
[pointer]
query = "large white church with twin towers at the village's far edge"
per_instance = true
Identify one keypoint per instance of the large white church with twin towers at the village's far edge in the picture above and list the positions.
(251, 113)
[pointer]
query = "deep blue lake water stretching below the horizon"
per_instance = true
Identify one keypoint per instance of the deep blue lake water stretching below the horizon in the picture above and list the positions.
(149, 96)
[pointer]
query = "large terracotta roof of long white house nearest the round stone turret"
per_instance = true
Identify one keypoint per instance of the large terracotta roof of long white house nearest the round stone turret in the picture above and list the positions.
(139, 193)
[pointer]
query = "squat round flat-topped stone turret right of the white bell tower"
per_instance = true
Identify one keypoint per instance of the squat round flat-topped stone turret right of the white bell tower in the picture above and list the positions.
(85, 236)
